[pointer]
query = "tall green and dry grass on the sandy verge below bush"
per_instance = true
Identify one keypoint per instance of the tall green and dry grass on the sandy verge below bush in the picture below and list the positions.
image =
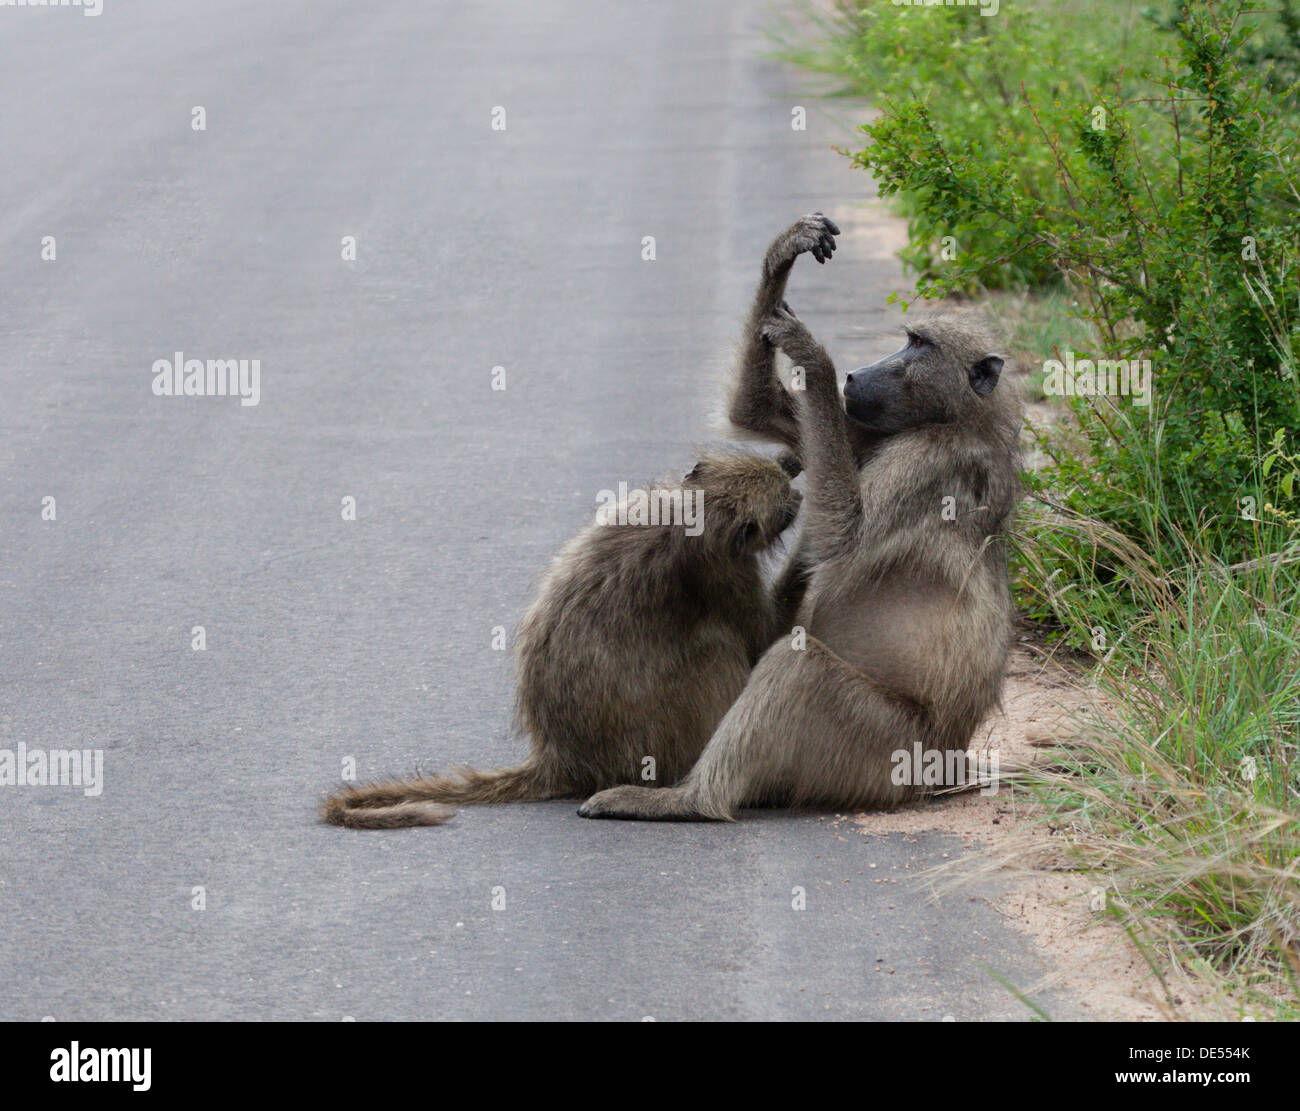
(1184, 797)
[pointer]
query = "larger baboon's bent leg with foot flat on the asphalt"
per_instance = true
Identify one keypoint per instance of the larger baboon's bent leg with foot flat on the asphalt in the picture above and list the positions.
(808, 730)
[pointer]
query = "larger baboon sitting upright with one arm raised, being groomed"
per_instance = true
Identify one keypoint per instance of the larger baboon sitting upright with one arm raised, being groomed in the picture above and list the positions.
(900, 579)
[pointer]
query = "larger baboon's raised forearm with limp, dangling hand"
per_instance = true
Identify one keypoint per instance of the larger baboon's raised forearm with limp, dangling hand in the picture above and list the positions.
(760, 402)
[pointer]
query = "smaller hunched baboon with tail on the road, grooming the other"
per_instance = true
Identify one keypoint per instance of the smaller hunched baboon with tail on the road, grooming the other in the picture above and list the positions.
(639, 640)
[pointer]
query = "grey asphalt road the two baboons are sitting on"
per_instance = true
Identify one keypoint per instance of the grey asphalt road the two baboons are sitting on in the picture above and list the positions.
(372, 640)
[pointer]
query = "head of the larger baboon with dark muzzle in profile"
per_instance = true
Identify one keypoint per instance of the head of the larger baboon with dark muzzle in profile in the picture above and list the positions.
(937, 379)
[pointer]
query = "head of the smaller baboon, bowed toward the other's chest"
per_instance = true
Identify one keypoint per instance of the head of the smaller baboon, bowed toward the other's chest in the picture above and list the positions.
(749, 501)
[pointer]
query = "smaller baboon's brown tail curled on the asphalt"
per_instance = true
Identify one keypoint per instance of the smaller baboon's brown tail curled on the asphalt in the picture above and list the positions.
(431, 800)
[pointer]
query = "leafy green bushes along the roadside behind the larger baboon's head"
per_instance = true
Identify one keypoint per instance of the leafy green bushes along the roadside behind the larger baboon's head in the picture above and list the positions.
(1169, 215)
